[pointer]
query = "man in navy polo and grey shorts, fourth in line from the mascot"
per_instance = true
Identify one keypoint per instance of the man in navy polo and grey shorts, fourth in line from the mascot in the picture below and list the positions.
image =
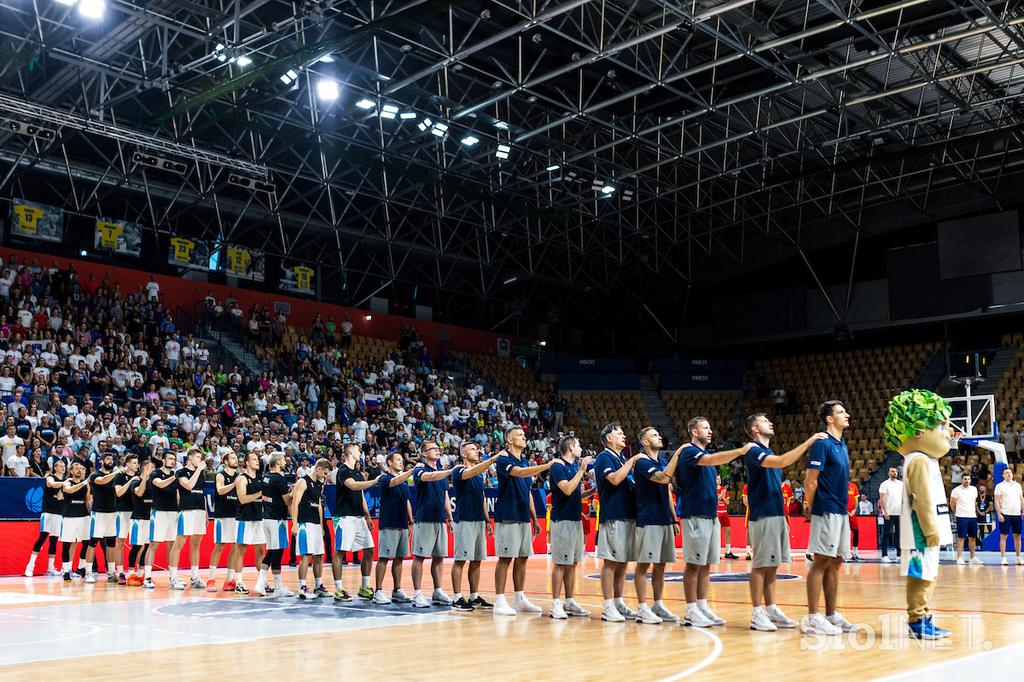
(657, 527)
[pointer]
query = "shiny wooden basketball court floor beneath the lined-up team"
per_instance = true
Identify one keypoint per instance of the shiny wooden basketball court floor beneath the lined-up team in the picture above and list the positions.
(110, 632)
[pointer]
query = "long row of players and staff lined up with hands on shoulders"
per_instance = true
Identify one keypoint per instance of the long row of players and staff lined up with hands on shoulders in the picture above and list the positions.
(638, 521)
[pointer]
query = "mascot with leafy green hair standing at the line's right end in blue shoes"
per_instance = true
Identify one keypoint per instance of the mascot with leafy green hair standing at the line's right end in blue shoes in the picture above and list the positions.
(918, 428)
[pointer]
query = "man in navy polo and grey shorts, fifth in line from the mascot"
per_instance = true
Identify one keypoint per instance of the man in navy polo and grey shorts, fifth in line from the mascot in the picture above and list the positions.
(619, 511)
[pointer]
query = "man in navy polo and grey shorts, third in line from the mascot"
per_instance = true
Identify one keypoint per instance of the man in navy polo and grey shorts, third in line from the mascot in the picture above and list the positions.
(699, 510)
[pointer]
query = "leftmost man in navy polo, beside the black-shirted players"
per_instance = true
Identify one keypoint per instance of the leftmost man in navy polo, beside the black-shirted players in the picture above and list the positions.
(395, 521)
